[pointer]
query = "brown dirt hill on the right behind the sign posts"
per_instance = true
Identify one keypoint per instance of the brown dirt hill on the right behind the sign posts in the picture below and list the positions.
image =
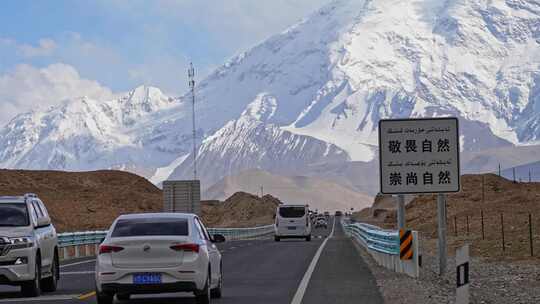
(515, 201)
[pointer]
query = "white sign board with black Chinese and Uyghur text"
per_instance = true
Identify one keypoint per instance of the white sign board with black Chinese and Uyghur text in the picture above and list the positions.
(419, 155)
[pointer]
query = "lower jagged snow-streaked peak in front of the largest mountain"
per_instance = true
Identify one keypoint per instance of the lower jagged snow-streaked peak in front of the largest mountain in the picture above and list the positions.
(251, 142)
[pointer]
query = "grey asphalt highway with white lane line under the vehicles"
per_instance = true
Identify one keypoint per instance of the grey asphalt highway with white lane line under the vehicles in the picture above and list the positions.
(325, 270)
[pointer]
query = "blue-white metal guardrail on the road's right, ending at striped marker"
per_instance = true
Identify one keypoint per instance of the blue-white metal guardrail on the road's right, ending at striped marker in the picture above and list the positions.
(373, 237)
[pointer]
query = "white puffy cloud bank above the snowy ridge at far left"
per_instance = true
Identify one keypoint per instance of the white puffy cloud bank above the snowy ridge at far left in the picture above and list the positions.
(29, 88)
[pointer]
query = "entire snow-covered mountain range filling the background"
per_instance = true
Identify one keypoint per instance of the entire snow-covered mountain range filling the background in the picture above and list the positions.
(314, 94)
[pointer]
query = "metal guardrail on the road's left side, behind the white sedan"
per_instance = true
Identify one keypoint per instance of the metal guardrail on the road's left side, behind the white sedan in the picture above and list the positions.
(94, 237)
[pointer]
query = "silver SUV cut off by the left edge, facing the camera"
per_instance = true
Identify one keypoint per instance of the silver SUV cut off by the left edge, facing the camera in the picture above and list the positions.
(28, 245)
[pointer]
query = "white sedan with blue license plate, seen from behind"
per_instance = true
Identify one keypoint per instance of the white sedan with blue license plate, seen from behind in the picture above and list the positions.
(158, 253)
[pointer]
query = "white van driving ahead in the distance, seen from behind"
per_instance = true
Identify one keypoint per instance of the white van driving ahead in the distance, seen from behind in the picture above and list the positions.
(292, 221)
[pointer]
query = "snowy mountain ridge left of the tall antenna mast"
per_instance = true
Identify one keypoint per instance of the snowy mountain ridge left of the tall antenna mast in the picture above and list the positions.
(86, 134)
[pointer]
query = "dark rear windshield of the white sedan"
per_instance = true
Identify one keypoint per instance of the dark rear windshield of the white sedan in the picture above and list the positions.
(150, 227)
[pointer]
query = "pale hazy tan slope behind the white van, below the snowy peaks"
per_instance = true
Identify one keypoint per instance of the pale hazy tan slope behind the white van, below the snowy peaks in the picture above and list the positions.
(318, 193)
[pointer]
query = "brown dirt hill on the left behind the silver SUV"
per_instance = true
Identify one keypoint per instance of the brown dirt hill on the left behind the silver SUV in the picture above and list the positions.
(84, 200)
